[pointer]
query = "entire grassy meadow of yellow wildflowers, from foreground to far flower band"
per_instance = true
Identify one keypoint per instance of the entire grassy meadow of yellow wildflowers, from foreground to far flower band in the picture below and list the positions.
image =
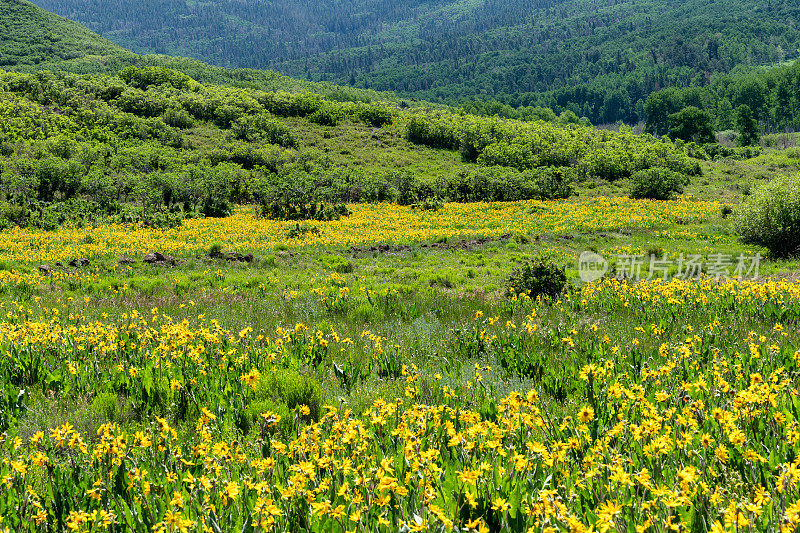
(321, 389)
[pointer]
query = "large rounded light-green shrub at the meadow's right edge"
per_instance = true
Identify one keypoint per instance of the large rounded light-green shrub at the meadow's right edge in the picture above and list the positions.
(771, 217)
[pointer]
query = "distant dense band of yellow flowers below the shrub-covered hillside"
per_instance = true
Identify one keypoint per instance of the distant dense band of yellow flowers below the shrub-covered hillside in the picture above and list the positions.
(369, 224)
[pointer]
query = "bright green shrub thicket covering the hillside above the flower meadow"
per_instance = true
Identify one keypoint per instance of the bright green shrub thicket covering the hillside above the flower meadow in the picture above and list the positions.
(153, 145)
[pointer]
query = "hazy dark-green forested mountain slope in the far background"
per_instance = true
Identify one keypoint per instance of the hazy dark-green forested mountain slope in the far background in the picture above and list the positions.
(599, 59)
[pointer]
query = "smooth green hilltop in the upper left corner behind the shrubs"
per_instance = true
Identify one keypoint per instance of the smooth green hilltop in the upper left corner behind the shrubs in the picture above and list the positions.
(31, 36)
